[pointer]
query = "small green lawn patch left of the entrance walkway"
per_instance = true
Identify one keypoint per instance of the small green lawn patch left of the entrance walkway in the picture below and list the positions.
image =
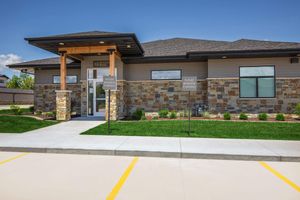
(19, 124)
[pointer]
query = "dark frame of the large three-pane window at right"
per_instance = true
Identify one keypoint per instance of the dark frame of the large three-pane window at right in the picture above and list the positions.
(256, 82)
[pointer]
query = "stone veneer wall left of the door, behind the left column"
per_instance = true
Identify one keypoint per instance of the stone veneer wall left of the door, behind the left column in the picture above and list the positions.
(45, 97)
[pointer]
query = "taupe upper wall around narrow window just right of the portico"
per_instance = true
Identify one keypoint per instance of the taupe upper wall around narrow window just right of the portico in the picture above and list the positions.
(134, 72)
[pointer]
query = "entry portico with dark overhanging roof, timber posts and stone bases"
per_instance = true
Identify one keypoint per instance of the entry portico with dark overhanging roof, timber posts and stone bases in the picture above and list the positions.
(107, 47)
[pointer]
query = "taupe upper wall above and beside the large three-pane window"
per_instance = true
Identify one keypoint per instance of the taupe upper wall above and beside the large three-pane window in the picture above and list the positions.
(228, 68)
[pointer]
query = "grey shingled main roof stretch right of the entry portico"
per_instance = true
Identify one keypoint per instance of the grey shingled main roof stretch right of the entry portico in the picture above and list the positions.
(181, 46)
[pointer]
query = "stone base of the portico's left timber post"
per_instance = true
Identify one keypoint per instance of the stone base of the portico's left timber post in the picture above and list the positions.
(63, 105)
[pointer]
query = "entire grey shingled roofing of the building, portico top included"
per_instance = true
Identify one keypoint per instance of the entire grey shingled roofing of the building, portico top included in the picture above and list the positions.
(179, 47)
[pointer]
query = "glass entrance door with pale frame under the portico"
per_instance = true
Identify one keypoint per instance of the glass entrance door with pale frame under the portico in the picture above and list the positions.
(99, 99)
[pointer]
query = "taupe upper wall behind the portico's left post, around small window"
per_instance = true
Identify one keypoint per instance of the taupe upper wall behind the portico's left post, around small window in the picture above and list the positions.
(45, 76)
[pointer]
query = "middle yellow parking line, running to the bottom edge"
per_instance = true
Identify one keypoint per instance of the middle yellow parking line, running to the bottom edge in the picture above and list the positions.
(122, 180)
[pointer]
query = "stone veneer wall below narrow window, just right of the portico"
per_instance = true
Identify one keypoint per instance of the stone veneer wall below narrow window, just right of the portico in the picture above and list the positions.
(156, 95)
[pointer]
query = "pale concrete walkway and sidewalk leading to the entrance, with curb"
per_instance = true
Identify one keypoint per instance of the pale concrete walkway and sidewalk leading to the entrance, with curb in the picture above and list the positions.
(64, 138)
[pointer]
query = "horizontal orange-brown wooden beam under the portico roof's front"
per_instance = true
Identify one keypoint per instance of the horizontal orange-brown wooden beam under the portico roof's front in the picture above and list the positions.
(87, 50)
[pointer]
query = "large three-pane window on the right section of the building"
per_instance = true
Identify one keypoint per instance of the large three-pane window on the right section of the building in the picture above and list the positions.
(257, 82)
